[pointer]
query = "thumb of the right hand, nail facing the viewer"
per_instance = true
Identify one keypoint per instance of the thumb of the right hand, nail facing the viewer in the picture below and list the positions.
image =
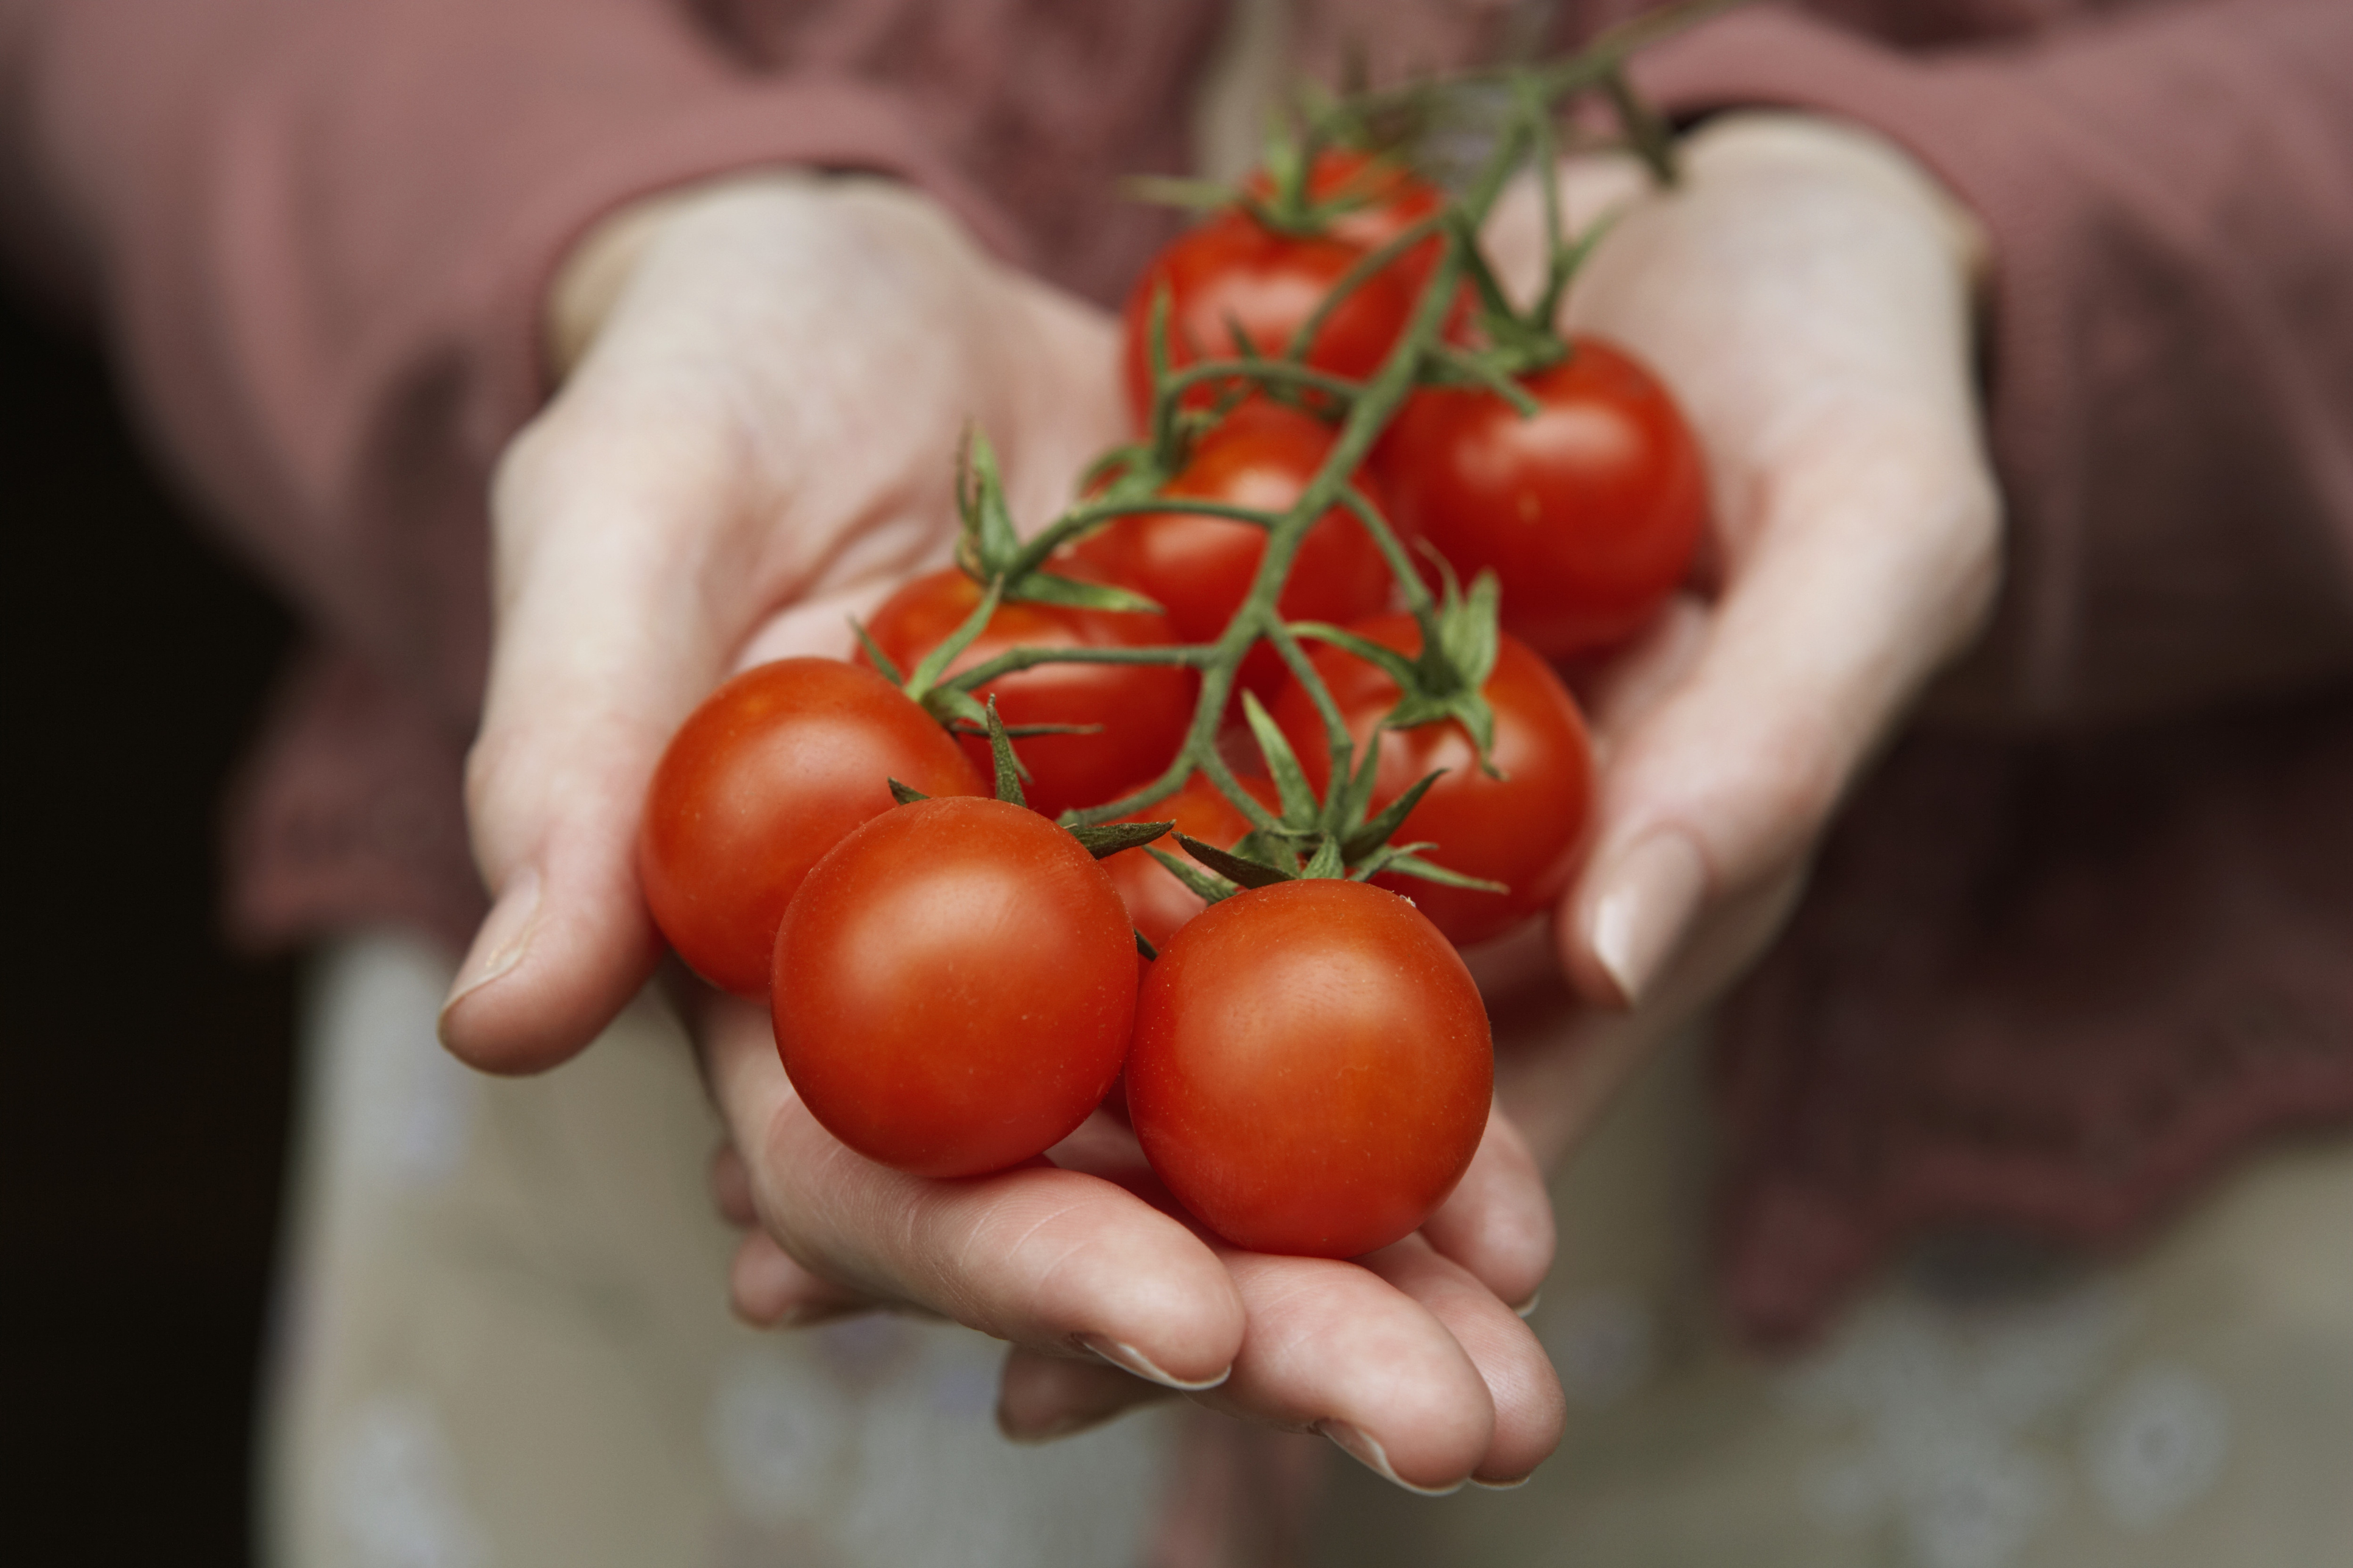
(1867, 573)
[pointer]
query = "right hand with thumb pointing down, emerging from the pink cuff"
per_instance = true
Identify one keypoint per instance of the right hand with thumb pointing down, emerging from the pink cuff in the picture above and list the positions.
(1806, 293)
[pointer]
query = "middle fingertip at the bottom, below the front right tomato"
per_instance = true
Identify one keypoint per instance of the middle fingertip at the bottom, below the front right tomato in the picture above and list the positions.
(1338, 1350)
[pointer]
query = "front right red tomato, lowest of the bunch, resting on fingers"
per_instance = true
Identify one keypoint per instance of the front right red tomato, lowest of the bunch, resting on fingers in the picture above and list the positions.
(1312, 1068)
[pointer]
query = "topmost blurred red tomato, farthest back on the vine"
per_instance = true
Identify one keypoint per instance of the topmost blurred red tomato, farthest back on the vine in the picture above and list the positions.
(1234, 270)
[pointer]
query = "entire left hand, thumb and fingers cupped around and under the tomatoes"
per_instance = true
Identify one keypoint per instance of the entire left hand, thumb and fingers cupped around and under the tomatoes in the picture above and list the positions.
(773, 378)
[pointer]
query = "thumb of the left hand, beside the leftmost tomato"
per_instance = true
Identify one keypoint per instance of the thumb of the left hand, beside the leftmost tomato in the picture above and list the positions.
(604, 644)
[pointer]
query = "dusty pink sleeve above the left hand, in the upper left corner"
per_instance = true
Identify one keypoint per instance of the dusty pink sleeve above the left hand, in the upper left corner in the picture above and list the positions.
(321, 234)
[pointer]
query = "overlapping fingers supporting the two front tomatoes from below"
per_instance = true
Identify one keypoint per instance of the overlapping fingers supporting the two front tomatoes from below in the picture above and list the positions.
(1408, 1360)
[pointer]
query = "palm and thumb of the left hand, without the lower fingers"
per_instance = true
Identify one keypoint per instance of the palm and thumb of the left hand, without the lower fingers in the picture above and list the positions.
(759, 437)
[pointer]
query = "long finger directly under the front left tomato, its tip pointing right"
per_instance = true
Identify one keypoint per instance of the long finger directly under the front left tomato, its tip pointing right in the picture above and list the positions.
(1046, 1258)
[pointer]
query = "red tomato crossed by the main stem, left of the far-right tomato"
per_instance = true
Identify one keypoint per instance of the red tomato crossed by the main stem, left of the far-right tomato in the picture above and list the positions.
(1199, 569)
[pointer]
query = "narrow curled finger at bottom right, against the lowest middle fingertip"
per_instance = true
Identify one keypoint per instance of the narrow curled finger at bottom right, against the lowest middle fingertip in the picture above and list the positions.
(1521, 1381)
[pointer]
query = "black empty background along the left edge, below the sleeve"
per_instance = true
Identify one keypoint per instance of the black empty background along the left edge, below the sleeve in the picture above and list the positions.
(147, 1068)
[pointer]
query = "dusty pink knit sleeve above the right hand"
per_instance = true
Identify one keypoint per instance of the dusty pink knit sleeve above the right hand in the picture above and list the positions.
(2171, 343)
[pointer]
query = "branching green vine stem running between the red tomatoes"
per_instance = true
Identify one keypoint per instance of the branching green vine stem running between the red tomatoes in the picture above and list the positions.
(1519, 343)
